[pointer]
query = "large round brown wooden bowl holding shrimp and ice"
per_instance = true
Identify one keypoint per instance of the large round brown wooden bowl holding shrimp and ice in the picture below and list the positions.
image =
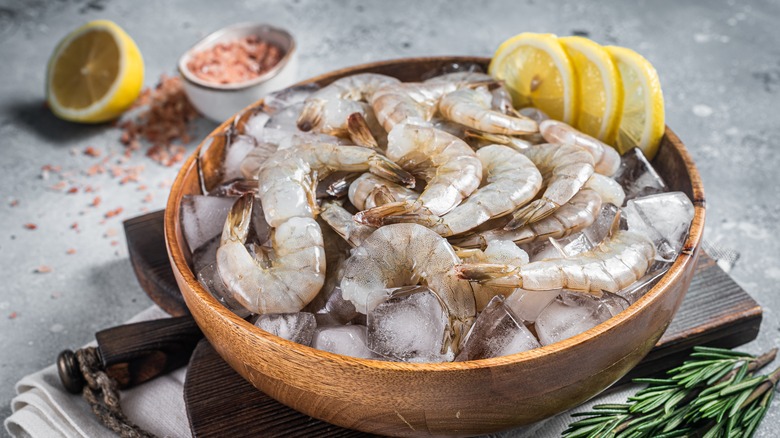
(461, 398)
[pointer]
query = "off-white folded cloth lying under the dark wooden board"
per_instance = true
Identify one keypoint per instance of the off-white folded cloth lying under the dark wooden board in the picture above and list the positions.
(42, 407)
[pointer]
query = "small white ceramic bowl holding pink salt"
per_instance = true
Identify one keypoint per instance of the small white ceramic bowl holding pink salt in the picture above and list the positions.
(220, 101)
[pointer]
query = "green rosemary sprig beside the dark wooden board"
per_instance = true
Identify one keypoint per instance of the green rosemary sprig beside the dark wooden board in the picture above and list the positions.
(713, 394)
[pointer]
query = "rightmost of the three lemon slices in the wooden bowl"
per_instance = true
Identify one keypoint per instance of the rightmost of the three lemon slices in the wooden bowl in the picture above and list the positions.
(642, 118)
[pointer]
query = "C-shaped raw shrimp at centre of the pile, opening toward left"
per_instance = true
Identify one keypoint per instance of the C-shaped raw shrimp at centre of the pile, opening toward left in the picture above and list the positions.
(450, 166)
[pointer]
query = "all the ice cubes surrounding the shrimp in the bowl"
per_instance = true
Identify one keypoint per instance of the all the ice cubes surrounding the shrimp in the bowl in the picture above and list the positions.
(410, 324)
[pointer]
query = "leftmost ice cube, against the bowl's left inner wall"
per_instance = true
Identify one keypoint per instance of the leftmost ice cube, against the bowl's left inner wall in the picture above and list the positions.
(202, 217)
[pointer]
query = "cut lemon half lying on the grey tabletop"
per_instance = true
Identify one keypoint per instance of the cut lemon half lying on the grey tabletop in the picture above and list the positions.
(94, 74)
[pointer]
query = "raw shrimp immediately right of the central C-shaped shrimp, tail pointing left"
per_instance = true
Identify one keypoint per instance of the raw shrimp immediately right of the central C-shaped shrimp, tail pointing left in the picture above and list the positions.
(512, 180)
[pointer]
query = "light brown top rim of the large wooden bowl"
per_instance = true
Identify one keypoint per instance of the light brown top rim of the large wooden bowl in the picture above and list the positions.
(675, 272)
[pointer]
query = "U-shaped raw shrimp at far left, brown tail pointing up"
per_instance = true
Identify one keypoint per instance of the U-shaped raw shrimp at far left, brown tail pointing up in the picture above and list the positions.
(293, 277)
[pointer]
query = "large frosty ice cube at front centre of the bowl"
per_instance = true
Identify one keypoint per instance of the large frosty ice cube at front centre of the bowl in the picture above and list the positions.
(409, 326)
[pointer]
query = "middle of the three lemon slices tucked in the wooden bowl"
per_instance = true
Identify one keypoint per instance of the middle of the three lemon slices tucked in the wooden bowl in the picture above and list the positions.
(598, 82)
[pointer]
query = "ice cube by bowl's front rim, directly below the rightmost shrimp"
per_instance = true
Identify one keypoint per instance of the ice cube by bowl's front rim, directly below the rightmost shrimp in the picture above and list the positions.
(570, 315)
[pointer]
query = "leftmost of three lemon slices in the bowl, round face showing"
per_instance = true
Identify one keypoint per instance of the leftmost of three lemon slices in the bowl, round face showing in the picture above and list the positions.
(537, 73)
